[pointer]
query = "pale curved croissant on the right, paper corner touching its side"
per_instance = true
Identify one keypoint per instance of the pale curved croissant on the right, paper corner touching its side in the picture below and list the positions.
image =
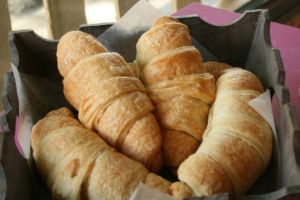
(237, 143)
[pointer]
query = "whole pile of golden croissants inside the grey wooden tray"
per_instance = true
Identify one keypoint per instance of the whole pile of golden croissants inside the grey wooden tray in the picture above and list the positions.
(168, 109)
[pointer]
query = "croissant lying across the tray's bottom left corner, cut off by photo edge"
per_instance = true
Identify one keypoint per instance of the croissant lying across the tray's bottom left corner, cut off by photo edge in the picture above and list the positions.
(77, 164)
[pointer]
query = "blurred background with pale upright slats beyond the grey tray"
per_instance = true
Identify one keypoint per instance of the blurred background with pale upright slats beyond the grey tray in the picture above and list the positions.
(52, 18)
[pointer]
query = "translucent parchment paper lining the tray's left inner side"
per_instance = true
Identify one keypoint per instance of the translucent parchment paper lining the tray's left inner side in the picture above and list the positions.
(37, 96)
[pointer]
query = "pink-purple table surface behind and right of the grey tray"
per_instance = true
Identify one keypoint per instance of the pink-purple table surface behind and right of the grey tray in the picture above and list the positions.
(284, 38)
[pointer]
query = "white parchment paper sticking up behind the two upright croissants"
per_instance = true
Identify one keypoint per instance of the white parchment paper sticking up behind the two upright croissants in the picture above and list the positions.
(123, 35)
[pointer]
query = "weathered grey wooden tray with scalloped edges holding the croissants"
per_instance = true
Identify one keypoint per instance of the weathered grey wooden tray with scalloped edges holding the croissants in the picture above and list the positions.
(245, 42)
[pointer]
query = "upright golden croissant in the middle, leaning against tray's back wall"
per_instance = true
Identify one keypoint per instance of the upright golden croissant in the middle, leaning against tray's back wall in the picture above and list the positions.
(180, 91)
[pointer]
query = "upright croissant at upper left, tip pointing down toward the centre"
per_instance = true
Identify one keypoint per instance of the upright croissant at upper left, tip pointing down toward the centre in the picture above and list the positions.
(109, 98)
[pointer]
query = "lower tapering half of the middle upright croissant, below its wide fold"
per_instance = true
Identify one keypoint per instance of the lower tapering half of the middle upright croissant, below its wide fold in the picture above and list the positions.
(182, 106)
